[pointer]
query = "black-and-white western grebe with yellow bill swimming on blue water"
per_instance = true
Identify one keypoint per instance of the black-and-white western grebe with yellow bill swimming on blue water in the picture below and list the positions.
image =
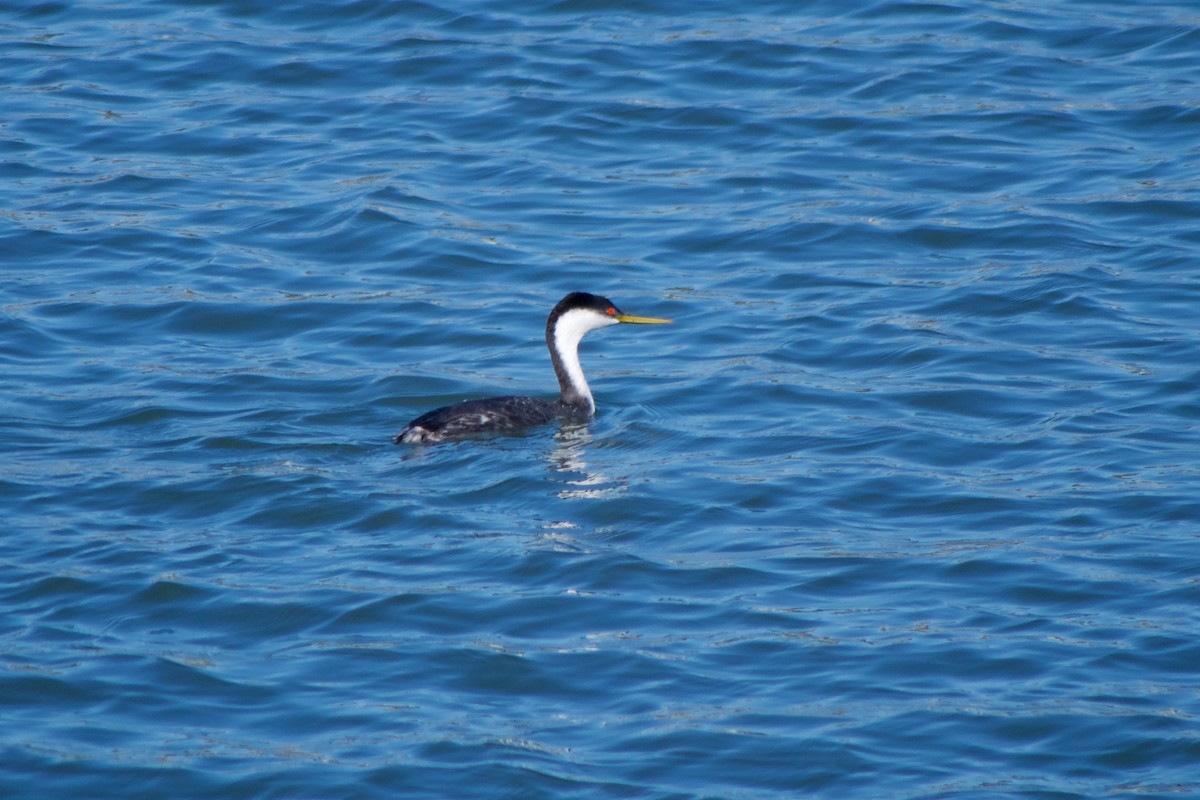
(573, 317)
